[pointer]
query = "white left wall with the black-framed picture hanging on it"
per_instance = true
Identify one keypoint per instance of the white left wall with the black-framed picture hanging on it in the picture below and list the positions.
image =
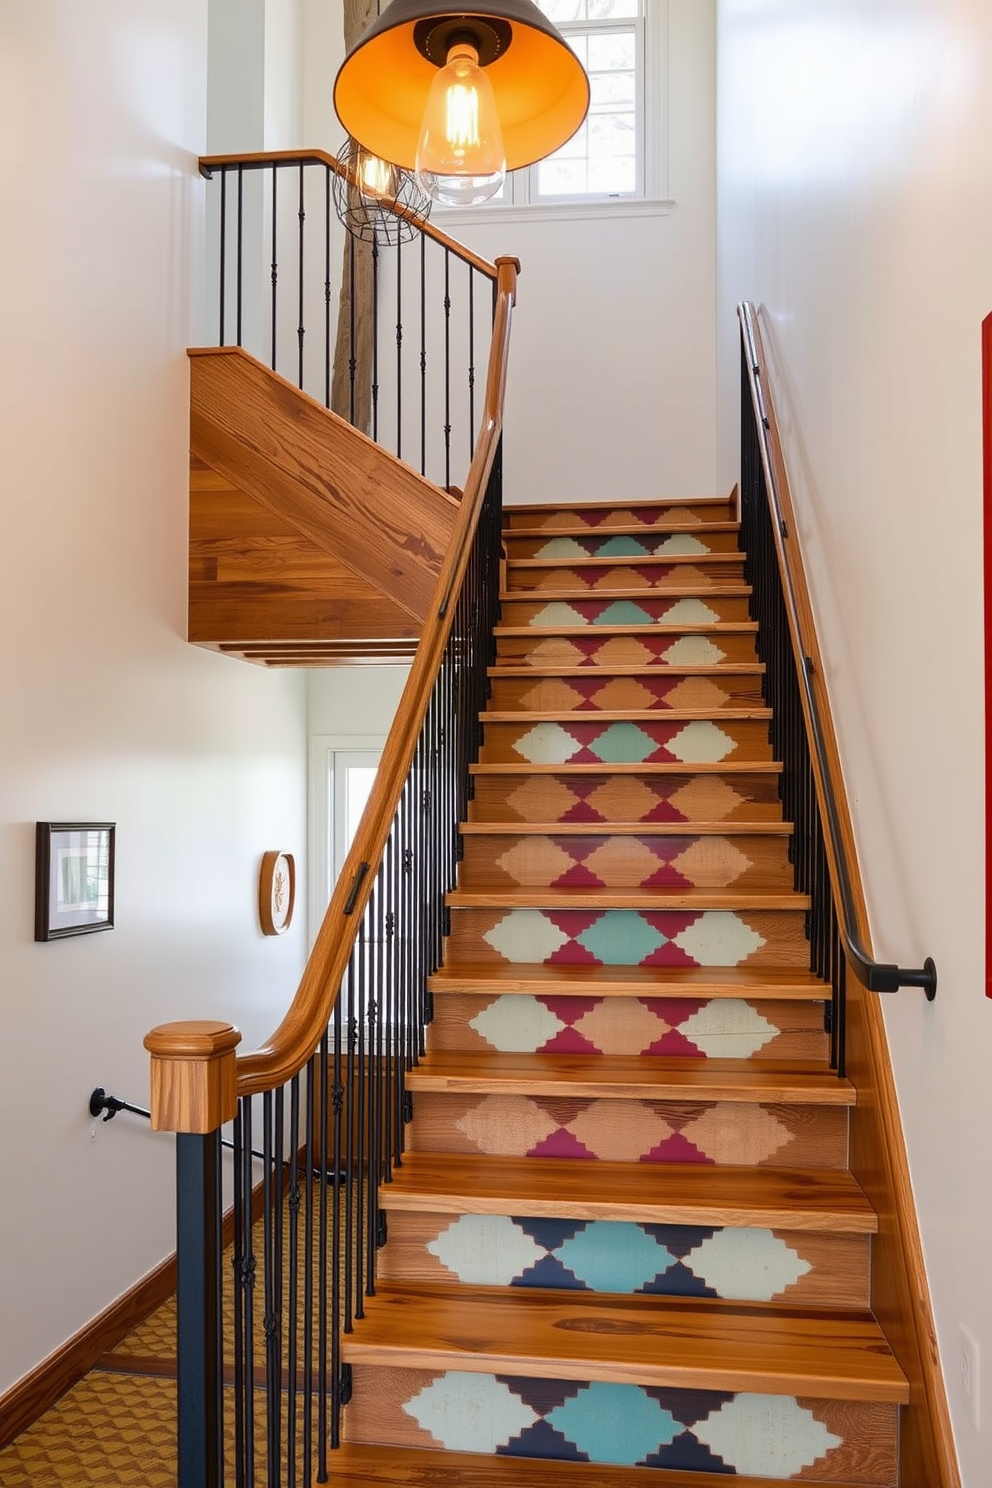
(108, 713)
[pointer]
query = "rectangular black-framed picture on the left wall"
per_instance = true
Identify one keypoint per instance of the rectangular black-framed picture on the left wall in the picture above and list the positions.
(74, 879)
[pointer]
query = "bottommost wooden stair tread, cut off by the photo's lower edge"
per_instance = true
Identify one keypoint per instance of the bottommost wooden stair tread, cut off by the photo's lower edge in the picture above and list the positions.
(356, 1466)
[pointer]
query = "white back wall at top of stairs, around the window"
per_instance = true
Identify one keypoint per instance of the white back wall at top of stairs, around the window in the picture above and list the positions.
(612, 388)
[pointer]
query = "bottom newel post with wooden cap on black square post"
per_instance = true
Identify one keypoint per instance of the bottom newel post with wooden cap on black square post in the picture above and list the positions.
(194, 1093)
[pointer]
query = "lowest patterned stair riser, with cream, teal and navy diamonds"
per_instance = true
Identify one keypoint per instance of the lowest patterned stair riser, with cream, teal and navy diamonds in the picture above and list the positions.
(770, 1437)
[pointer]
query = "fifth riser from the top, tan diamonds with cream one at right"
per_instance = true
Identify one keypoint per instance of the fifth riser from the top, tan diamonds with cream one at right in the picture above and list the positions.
(627, 651)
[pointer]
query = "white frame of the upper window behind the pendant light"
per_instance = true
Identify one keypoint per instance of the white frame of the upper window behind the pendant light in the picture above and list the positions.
(651, 199)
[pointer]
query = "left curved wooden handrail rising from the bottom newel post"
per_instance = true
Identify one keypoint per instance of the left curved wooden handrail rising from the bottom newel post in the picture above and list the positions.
(303, 1027)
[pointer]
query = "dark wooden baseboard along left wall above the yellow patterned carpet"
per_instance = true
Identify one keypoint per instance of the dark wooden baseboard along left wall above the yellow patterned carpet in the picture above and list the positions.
(48, 1382)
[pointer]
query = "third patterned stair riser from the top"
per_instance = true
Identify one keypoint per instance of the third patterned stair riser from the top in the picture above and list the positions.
(648, 575)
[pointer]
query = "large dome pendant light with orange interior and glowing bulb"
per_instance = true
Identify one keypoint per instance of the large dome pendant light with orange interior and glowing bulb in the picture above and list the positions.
(462, 96)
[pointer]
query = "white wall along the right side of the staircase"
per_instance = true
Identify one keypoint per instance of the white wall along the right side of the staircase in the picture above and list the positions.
(854, 166)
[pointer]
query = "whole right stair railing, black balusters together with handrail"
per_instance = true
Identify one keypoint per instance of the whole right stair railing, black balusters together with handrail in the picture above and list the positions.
(813, 782)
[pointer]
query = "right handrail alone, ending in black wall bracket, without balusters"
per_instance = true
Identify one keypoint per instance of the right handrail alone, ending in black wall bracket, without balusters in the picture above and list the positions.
(843, 859)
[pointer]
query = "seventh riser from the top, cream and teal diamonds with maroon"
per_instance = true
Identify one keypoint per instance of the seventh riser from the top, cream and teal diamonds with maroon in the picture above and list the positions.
(624, 742)
